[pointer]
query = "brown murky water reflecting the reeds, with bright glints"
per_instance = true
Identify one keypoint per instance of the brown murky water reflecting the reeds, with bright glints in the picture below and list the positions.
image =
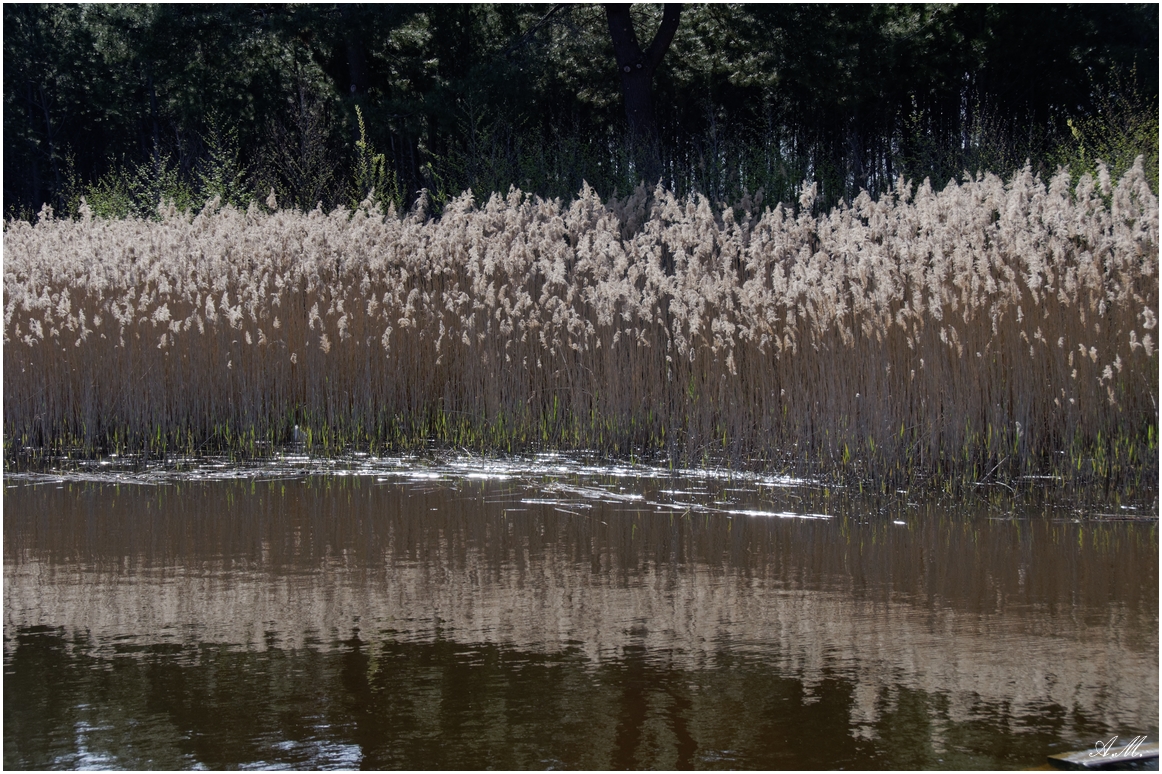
(551, 615)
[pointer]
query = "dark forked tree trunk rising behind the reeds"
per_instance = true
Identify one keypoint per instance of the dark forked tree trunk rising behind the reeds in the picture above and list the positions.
(637, 69)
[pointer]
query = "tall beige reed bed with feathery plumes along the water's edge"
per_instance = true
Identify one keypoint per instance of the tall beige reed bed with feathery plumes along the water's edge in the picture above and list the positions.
(982, 332)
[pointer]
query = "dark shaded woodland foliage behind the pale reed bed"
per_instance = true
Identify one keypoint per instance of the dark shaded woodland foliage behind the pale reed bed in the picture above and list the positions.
(130, 105)
